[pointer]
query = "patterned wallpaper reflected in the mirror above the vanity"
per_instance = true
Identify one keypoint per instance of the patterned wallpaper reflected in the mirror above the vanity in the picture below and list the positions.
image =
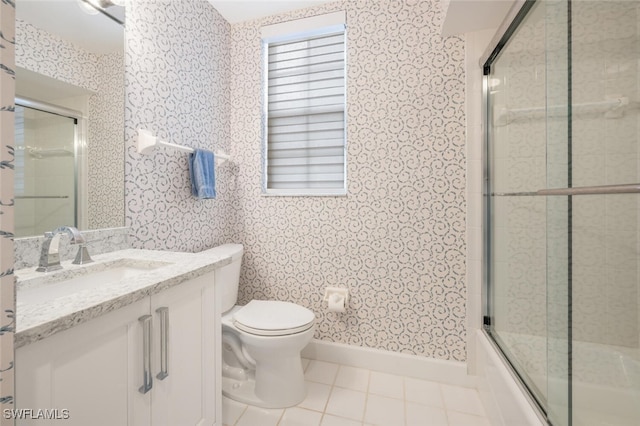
(49, 55)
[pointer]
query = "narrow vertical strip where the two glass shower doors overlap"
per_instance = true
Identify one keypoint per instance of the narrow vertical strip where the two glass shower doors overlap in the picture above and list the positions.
(558, 116)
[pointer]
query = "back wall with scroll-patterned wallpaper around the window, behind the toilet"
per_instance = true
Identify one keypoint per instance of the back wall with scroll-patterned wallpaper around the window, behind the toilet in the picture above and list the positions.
(397, 240)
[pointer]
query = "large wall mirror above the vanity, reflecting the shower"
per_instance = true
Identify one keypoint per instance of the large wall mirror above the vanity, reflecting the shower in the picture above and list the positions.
(69, 144)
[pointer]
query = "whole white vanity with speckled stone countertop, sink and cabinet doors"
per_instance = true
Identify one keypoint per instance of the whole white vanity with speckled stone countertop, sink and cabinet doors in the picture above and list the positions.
(131, 339)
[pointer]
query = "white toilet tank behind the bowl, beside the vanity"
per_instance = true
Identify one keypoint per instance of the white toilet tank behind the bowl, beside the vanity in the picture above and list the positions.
(227, 277)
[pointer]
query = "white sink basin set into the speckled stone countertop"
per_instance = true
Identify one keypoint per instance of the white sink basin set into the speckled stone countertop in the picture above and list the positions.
(66, 282)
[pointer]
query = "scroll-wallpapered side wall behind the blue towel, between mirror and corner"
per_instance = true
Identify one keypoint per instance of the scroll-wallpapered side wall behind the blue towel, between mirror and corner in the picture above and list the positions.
(177, 71)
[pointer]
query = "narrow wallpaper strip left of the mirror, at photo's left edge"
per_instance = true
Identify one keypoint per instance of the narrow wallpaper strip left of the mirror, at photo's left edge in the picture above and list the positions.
(7, 279)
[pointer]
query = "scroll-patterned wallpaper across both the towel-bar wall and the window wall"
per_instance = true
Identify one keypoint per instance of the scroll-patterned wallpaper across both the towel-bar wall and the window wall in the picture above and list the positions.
(397, 240)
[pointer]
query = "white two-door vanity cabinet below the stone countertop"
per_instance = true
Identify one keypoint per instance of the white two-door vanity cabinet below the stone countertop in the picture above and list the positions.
(95, 372)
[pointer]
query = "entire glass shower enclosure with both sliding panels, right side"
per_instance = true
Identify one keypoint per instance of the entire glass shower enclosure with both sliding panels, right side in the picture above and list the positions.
(561, 201)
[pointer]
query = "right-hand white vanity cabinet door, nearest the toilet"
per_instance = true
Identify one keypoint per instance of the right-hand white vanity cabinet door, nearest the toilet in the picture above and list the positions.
(187, 395)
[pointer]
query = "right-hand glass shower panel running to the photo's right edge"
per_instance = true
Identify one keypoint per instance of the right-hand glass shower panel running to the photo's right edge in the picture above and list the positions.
(605, 154)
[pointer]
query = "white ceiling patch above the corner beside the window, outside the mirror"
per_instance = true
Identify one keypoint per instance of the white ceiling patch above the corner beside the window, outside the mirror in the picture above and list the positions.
(235, 11)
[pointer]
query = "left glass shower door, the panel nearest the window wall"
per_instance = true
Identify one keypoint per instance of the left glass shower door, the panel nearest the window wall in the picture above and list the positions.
(529, 233)
